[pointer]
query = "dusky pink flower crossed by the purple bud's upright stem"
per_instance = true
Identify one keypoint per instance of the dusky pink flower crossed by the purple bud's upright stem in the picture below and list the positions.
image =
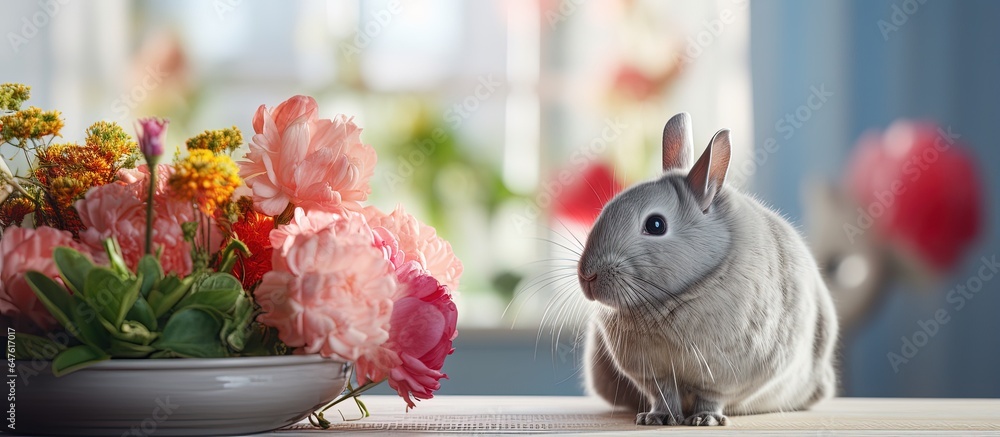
(114, 210)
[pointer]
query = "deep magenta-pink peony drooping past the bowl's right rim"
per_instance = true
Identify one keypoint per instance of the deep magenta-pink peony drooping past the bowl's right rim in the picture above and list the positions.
(421, 333)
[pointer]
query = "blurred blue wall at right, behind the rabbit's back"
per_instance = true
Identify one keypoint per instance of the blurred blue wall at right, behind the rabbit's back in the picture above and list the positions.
(943, 64)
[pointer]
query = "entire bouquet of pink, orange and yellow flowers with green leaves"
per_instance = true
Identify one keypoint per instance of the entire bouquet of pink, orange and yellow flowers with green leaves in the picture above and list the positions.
(208, 257)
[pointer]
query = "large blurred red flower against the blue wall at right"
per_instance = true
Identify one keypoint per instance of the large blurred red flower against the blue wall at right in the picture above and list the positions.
(921, 189)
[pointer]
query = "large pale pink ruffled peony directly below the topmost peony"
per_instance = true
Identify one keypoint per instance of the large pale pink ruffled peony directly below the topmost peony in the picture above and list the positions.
(331, 289)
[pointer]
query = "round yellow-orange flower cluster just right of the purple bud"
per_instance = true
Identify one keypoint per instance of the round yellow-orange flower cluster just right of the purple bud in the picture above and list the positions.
(205, 179)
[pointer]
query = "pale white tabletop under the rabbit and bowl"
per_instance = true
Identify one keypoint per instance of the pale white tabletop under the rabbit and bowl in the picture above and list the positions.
(582, 415)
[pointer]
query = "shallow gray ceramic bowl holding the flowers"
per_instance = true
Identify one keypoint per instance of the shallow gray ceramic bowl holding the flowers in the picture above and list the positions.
(223, 396)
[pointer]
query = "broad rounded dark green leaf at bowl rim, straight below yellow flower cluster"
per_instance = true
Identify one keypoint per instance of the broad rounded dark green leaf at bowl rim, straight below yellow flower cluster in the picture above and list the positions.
(192, 332)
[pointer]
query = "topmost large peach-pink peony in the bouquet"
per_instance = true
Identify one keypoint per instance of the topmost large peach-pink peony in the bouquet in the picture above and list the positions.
(298, 158)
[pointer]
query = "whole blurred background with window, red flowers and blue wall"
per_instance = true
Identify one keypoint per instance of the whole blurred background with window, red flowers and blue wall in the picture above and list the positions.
(507, 124)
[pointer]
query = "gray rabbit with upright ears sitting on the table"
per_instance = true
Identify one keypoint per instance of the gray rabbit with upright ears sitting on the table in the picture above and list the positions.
(712, 303)
